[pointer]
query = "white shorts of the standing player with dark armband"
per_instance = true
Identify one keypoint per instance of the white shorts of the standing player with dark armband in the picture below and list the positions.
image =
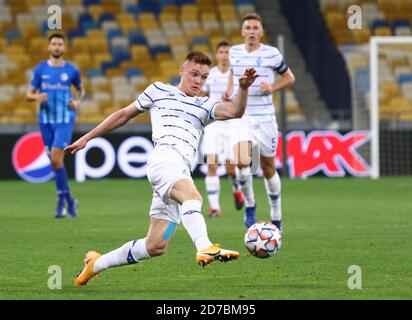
(261, 133)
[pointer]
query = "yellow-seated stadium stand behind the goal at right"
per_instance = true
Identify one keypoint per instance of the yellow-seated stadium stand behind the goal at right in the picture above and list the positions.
(380, 18)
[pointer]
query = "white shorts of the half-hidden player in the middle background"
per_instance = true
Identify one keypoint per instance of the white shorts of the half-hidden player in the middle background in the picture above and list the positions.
(220, 138)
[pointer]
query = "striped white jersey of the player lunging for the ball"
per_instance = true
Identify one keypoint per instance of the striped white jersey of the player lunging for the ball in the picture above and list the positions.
(177, 119)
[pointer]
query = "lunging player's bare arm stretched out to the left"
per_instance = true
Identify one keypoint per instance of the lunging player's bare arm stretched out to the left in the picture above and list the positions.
(114, 121)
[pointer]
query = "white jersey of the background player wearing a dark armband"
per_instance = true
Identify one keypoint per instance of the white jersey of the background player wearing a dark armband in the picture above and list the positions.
(266, 59)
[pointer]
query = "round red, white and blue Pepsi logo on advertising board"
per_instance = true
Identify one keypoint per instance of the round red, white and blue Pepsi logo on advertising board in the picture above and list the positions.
(30, 159)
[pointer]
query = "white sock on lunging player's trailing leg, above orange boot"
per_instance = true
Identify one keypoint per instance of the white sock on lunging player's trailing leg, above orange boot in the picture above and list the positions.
(130, 252)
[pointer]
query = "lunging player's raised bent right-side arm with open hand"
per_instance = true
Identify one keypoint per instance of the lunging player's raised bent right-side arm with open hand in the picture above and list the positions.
(235, 109)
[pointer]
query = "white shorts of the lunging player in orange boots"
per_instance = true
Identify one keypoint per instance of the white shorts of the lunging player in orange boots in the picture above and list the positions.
(165, 167)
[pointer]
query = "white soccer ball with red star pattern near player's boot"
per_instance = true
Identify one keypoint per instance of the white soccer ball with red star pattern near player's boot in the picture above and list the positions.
(263, 239)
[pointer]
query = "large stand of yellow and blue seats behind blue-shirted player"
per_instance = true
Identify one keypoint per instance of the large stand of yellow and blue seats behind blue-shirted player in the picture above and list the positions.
(119, 46)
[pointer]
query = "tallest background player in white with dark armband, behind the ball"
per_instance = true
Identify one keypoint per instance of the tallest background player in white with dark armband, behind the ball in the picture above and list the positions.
(259, 118)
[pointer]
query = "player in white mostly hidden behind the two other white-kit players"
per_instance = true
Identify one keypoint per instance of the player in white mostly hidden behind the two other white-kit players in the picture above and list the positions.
(219, 137)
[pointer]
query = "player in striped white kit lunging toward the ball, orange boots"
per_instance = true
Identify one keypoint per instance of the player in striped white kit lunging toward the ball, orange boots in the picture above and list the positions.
(178, 117)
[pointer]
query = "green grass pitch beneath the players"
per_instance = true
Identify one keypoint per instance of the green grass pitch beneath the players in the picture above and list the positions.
(329, 225)
